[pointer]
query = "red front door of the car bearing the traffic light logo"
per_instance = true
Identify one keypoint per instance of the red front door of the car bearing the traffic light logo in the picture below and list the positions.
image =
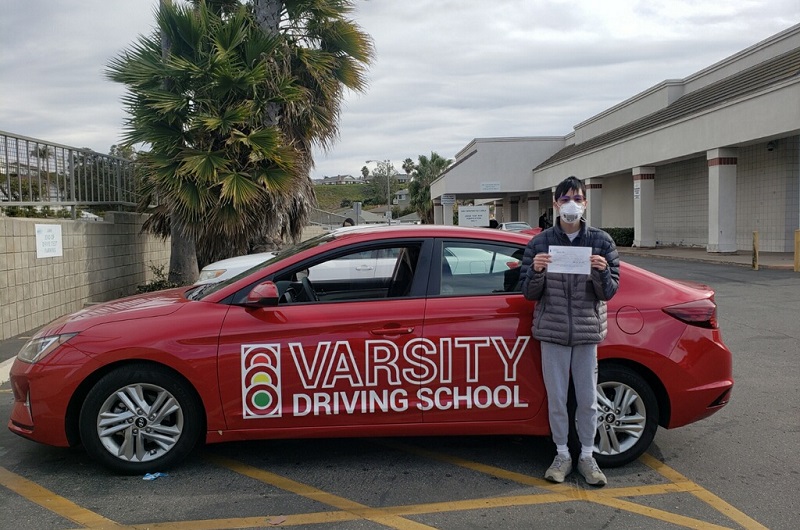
(318, 363)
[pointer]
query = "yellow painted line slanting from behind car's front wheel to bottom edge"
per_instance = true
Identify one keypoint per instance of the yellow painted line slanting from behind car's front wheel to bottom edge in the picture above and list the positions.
(376, 515)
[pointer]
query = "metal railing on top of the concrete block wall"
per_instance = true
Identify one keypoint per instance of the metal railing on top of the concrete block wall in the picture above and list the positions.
(36, 173)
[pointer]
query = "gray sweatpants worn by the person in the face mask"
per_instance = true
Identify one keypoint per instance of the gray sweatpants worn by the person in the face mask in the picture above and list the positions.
(557, 362)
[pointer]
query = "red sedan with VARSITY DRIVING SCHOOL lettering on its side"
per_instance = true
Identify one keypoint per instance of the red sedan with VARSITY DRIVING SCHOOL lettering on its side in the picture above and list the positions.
(440, 346)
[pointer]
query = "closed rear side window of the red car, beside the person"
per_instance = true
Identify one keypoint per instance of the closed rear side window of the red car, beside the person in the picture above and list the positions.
(474, 269)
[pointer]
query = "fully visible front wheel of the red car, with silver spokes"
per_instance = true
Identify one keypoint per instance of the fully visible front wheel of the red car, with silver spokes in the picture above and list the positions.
(158, 433)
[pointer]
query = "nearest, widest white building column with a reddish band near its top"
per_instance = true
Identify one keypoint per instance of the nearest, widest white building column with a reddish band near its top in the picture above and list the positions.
(721, 200)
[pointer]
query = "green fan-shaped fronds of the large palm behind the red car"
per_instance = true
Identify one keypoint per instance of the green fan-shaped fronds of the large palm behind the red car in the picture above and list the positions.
(223, 163)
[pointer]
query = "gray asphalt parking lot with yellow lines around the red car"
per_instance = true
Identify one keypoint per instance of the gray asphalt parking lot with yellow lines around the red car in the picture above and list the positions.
(736, 469)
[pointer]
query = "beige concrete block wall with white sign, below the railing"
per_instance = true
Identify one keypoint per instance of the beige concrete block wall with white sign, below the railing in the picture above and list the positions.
(101, 261)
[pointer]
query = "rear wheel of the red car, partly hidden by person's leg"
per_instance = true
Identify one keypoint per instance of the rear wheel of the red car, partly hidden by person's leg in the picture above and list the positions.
(627, 416)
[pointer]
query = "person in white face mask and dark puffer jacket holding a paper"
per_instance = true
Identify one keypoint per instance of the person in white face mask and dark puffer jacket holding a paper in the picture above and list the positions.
(569, 321)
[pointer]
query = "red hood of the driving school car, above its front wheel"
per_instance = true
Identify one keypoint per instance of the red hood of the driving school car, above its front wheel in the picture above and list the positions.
(155, 304)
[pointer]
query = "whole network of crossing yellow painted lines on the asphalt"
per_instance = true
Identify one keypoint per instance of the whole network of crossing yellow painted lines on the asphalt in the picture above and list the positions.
(395, 516)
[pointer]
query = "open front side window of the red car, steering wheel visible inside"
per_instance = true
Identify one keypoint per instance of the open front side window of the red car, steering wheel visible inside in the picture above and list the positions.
(363, 274)
